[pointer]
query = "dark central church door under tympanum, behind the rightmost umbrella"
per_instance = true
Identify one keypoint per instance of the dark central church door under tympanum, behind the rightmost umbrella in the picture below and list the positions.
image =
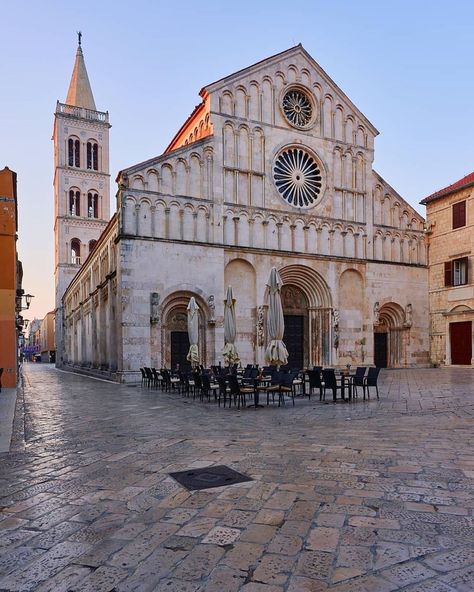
(295, 311)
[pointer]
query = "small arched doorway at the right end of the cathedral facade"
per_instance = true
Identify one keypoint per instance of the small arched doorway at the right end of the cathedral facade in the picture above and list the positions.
(389, 337)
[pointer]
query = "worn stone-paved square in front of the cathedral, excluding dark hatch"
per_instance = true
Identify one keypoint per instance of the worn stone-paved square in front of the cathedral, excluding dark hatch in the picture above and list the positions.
(362, 497)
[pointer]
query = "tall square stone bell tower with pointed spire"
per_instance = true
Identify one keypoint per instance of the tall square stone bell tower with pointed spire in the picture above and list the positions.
(81, 183)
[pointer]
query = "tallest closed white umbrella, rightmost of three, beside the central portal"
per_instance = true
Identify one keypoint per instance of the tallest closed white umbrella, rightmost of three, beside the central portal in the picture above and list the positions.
(276, 352)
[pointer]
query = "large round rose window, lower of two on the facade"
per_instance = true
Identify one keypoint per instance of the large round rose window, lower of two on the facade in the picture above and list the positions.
(298, 177)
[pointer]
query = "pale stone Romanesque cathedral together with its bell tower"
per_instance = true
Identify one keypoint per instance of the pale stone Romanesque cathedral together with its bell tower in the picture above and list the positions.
(272, 168)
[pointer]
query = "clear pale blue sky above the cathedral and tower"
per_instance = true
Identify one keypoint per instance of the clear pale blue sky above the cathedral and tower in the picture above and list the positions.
(407, 65)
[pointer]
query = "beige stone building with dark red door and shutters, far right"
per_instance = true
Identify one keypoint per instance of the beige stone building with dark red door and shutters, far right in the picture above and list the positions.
(450, 224)
